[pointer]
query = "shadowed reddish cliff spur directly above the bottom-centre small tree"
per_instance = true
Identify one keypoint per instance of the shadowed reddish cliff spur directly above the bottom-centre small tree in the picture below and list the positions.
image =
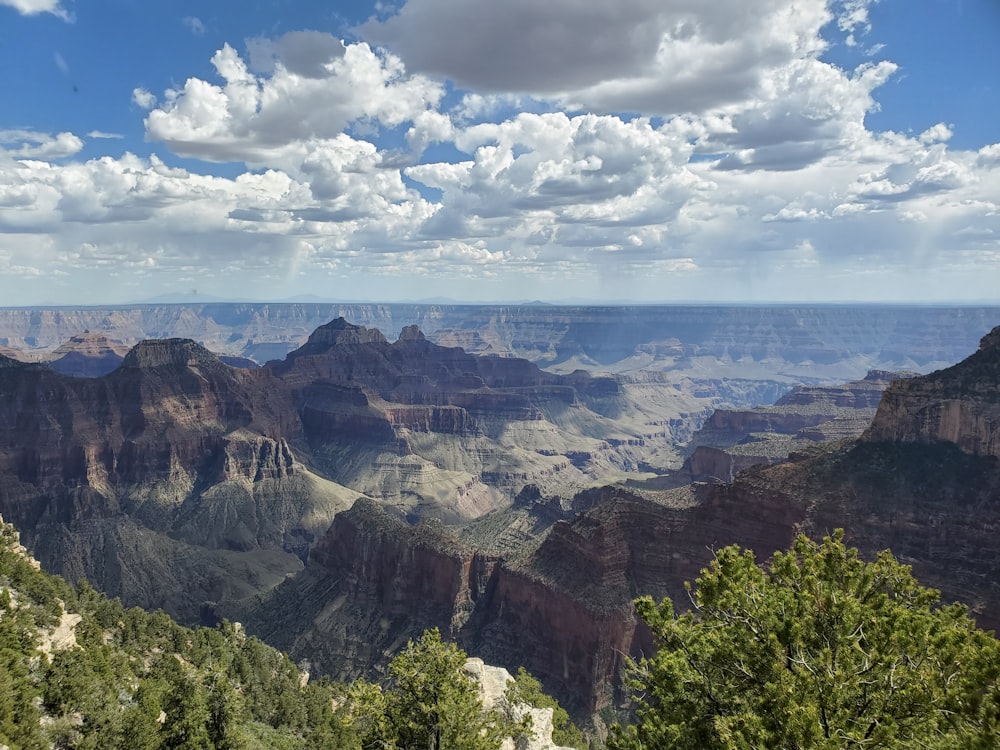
(371, 583)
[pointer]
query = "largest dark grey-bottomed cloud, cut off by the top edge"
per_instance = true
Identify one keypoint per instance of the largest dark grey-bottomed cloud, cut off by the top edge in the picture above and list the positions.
(650, 56)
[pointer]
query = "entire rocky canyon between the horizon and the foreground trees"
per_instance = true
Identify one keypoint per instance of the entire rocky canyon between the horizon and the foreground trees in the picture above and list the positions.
(512, 476)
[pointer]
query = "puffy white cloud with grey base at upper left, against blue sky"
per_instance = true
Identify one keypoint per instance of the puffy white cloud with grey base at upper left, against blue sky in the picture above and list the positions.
(315, 95)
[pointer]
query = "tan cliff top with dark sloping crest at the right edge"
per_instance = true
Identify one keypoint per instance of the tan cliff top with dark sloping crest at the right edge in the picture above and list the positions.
(959, 405)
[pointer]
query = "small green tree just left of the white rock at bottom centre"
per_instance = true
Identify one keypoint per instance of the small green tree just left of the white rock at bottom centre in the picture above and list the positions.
(434, 704)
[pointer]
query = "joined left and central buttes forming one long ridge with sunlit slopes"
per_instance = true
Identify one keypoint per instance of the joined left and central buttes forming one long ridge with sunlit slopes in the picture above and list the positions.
(176, 480)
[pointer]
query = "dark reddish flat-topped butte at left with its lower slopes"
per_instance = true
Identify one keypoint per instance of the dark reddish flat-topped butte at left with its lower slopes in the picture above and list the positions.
(168, 482)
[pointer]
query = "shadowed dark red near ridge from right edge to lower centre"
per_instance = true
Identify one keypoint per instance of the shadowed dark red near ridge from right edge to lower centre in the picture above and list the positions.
(562, 606)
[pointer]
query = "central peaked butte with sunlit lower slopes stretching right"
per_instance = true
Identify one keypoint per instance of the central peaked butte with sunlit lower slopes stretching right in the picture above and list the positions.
(432, 430)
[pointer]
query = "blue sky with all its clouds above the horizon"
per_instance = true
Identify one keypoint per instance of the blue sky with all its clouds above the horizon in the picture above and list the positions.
(644, 151)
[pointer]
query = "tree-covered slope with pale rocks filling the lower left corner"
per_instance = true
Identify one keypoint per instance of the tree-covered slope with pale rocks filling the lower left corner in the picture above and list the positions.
(123, 678)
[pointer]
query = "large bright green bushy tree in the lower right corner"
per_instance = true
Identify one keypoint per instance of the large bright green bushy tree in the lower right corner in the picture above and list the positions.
(820, 650)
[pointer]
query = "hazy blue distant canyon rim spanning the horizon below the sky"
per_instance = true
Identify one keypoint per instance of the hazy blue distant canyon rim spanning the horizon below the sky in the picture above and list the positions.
(784, 344)
